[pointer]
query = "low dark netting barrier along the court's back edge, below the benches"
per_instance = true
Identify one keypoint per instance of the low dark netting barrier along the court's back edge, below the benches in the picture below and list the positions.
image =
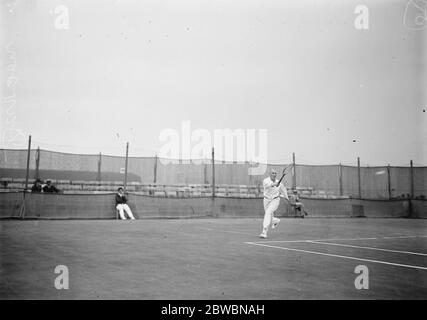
(102, 206)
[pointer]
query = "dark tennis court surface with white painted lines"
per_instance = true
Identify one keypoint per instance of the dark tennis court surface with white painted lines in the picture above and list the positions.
(311, 258)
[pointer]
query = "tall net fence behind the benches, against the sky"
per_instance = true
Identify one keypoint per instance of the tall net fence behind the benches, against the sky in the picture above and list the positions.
(368, 182)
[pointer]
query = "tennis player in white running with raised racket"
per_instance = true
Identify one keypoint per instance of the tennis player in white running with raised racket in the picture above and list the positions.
(273, 191)
